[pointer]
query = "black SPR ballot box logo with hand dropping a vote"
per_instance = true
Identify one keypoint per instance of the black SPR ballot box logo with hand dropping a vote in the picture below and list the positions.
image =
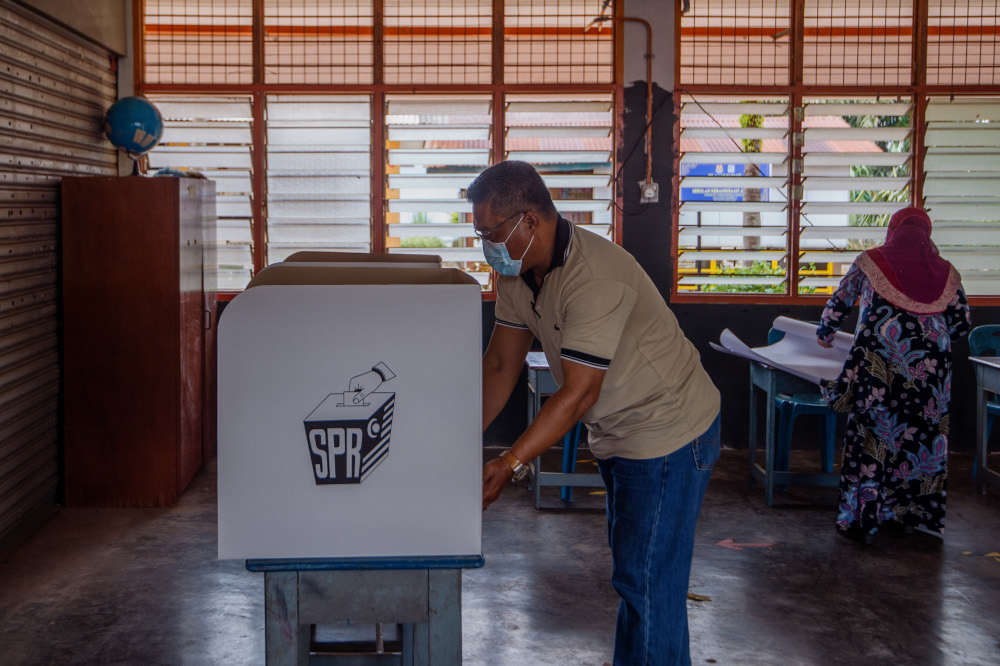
(348, 433)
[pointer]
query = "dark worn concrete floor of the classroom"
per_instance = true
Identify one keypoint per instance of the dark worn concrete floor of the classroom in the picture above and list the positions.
(143, 586)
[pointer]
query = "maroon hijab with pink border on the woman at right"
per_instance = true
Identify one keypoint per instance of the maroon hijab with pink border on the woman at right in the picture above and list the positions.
(907, 269)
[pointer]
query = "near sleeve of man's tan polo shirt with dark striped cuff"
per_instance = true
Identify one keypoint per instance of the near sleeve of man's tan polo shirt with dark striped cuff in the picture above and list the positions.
(594, 319)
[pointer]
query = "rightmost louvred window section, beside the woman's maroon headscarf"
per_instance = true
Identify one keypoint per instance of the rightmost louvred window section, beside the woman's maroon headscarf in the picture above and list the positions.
(962, 186)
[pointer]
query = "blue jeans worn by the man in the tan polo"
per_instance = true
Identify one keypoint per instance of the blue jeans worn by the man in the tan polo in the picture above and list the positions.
(652, 509)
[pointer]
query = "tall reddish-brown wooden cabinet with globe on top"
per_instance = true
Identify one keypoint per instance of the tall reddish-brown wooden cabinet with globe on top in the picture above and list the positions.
(138, 344)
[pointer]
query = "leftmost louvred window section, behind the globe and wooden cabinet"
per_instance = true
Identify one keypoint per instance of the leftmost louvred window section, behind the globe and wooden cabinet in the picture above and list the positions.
(213, 135)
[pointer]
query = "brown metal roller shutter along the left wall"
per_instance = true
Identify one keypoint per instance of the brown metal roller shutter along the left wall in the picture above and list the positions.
(54, 90)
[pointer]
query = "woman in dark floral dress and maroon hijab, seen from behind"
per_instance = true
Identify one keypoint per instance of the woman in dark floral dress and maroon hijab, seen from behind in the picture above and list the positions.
(896, 382)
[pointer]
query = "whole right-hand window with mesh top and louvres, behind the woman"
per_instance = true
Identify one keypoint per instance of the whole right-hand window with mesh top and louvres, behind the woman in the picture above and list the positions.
(854, 153)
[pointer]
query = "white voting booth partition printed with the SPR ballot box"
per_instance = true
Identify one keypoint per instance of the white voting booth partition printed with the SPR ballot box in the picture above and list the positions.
(350, 415)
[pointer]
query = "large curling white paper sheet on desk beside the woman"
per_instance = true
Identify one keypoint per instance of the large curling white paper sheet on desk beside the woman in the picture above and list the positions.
(797, 353)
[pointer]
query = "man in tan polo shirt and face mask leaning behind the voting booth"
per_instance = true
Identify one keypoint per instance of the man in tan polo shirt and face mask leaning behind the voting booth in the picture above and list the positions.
(626, 370)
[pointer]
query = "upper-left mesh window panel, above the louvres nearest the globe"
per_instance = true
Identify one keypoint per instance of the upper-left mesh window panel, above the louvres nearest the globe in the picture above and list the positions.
(208, 41)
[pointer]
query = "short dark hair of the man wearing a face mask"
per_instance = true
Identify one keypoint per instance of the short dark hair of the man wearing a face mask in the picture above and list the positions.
(511, 187)
